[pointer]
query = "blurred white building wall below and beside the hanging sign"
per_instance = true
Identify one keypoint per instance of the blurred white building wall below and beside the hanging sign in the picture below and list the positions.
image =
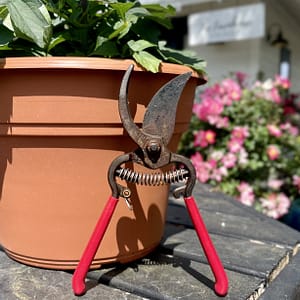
(255, 55)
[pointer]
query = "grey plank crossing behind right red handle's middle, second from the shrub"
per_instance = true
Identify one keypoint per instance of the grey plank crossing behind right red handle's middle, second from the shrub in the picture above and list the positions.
(244, 256)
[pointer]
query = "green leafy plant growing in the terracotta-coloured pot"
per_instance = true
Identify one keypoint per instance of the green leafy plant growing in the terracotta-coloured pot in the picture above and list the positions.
(113, 29)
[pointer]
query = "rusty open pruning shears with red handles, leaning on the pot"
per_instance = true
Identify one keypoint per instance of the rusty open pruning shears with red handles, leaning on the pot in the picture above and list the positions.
(152, 152)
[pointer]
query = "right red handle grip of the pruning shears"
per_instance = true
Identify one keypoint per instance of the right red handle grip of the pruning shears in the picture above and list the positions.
(221, 284)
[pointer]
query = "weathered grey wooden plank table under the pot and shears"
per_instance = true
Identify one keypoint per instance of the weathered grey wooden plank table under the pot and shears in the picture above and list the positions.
(260, 256)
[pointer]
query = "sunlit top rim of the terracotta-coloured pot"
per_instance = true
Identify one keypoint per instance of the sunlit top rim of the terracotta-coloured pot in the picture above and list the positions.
(91, 63)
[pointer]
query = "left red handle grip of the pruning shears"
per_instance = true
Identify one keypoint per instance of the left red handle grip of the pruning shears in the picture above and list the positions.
(78, 280)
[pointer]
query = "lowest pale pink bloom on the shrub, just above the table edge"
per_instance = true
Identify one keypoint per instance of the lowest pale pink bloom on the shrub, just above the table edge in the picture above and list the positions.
(275, 205)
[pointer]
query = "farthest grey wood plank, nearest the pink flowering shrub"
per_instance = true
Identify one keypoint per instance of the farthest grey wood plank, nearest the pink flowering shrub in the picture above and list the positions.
(243, 223)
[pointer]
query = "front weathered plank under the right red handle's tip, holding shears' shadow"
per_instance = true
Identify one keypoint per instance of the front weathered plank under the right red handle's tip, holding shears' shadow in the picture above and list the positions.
(166, 277)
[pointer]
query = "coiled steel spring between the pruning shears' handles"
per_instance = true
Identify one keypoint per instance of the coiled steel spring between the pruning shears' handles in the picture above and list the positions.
(153, 179)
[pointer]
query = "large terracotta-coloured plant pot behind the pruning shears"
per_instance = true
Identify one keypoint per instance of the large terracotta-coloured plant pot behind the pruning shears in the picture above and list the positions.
(59, 132)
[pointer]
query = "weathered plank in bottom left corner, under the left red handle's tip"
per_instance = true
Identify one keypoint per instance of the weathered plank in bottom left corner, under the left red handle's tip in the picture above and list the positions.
(18, 281)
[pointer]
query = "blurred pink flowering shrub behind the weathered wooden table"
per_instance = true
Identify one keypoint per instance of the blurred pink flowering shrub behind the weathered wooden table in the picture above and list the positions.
(241, 141)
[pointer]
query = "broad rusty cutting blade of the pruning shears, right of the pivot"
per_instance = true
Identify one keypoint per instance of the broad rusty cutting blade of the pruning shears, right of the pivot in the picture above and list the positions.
(160, 115)
